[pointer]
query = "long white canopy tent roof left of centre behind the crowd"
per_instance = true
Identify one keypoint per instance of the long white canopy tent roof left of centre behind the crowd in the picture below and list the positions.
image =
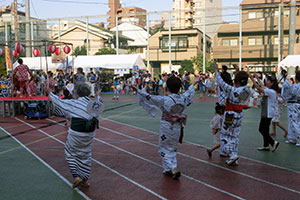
(109, 62)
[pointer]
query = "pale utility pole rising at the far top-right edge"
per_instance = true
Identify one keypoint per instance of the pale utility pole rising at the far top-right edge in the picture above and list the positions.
(292, 26)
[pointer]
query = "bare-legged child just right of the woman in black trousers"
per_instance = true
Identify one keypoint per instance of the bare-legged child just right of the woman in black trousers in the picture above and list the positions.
(276, 118)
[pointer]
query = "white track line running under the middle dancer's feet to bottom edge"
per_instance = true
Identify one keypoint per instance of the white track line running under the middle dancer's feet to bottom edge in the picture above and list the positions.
(156, 164)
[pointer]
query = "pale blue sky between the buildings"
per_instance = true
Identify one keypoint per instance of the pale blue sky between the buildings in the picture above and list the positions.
(44, 9)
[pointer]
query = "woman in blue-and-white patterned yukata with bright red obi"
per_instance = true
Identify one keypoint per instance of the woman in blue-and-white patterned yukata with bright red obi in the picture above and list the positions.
(236, 98)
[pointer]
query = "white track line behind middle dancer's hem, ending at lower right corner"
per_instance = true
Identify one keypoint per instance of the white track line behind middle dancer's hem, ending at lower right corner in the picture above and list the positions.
(200, 160)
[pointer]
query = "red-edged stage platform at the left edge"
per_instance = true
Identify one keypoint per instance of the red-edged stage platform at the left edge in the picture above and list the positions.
(11, 106)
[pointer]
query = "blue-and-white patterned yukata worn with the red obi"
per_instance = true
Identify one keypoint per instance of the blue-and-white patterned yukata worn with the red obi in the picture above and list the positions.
(230, 134)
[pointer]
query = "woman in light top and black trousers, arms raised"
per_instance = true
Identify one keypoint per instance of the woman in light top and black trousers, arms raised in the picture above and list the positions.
(267, 111)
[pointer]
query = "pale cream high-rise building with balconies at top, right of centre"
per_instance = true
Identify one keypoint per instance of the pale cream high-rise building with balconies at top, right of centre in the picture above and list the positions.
(190, 13)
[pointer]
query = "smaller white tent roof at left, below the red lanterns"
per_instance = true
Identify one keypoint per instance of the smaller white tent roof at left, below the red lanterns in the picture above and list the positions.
(39, 63)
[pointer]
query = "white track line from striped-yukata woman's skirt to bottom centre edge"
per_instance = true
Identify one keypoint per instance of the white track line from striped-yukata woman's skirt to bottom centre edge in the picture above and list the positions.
(101, 164)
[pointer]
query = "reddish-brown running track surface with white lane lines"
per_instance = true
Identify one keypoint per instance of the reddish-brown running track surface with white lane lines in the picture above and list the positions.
(126, 165)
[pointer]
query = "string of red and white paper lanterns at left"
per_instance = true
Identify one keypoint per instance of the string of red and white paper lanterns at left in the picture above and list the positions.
(52, 49)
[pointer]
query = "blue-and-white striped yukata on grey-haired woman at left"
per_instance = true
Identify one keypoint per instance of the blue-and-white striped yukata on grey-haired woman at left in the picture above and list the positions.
(78, 147)
